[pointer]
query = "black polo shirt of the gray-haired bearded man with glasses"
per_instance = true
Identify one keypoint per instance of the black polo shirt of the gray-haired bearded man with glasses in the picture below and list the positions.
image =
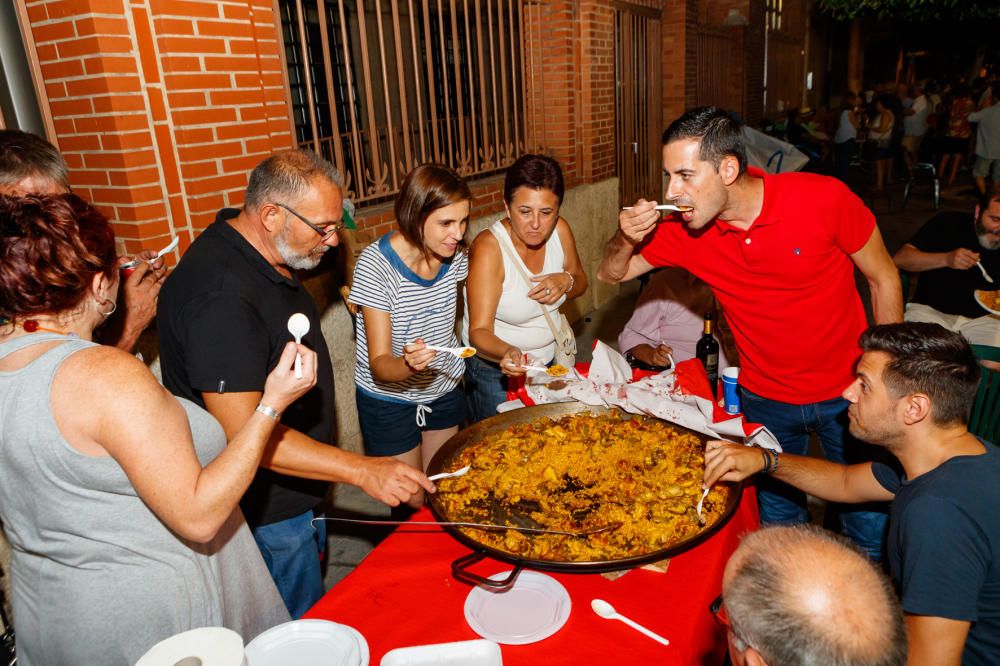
(222, 322)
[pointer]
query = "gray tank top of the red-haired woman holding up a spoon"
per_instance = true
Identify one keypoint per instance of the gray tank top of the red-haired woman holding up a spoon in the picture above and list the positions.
(96, 577)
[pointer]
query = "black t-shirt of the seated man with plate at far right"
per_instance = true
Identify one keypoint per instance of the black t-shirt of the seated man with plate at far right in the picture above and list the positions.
(950, 290)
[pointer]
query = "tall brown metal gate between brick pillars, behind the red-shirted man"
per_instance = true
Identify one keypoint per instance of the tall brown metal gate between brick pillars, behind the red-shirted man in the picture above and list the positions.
(638, 86)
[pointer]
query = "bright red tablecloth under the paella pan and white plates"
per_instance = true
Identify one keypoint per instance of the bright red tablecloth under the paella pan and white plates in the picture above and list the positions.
(403, 594)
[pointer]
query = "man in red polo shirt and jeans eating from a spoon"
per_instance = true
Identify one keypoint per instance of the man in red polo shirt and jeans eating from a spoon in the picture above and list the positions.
(779, 253)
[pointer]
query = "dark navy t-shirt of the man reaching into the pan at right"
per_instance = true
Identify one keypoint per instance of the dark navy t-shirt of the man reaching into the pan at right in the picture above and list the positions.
(944, 546)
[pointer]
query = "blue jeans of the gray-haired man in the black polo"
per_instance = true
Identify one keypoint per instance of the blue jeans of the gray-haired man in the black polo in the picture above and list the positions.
(292, 550)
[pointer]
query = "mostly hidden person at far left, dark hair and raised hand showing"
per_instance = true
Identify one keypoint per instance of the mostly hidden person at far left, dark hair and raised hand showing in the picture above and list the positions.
(31, 165)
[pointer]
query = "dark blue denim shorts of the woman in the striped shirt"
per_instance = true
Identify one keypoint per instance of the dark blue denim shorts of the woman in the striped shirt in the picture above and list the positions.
(392, 428)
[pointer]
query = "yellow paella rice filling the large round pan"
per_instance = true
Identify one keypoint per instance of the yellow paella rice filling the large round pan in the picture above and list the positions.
(582, 472)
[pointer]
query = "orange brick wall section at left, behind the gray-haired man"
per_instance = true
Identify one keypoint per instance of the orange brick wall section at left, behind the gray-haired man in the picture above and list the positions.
(161, 107)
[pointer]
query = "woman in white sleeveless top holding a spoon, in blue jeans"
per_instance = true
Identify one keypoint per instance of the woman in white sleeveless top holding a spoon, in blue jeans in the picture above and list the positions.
(503, 317)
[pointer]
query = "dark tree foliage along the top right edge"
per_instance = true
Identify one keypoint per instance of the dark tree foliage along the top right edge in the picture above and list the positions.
(914, 11)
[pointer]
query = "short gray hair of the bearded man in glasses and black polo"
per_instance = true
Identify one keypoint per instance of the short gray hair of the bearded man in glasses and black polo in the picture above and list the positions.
(285, 177)
